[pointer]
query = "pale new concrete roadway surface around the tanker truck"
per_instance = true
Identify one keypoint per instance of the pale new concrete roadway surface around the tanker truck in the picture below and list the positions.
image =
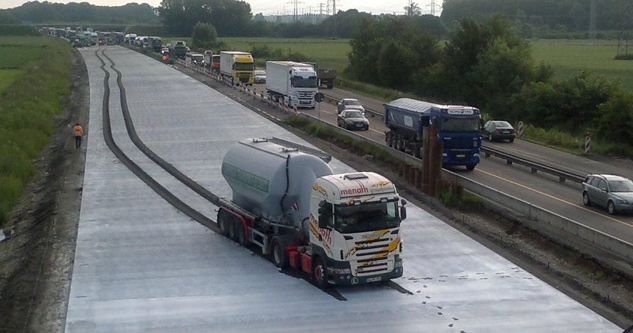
(142, 266)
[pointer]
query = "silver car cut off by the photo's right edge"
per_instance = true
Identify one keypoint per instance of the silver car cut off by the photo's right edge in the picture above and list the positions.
(612, 192)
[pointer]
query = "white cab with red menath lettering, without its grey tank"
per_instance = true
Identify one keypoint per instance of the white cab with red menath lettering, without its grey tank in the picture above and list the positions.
(355, 227)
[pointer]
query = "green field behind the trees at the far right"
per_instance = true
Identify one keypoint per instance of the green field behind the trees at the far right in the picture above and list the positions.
(568, 57)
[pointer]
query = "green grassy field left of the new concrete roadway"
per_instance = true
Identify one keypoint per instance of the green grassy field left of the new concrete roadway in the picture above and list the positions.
(34, 74)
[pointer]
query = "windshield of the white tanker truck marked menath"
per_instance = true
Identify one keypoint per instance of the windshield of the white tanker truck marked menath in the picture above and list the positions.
(368, 216)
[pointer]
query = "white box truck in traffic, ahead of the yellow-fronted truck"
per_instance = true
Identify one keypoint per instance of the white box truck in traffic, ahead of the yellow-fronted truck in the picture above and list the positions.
(294, 83)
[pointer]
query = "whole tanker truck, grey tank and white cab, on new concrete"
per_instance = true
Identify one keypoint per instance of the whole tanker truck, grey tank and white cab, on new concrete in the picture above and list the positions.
(340, 229)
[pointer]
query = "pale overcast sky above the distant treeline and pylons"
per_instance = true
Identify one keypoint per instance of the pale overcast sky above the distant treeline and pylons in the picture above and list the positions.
(269, 7)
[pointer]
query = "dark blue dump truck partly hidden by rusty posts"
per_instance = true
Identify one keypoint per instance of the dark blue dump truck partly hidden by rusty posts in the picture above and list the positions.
(457, 129)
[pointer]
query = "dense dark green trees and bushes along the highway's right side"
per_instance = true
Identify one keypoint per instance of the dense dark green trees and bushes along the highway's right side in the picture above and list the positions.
(487, 65)
